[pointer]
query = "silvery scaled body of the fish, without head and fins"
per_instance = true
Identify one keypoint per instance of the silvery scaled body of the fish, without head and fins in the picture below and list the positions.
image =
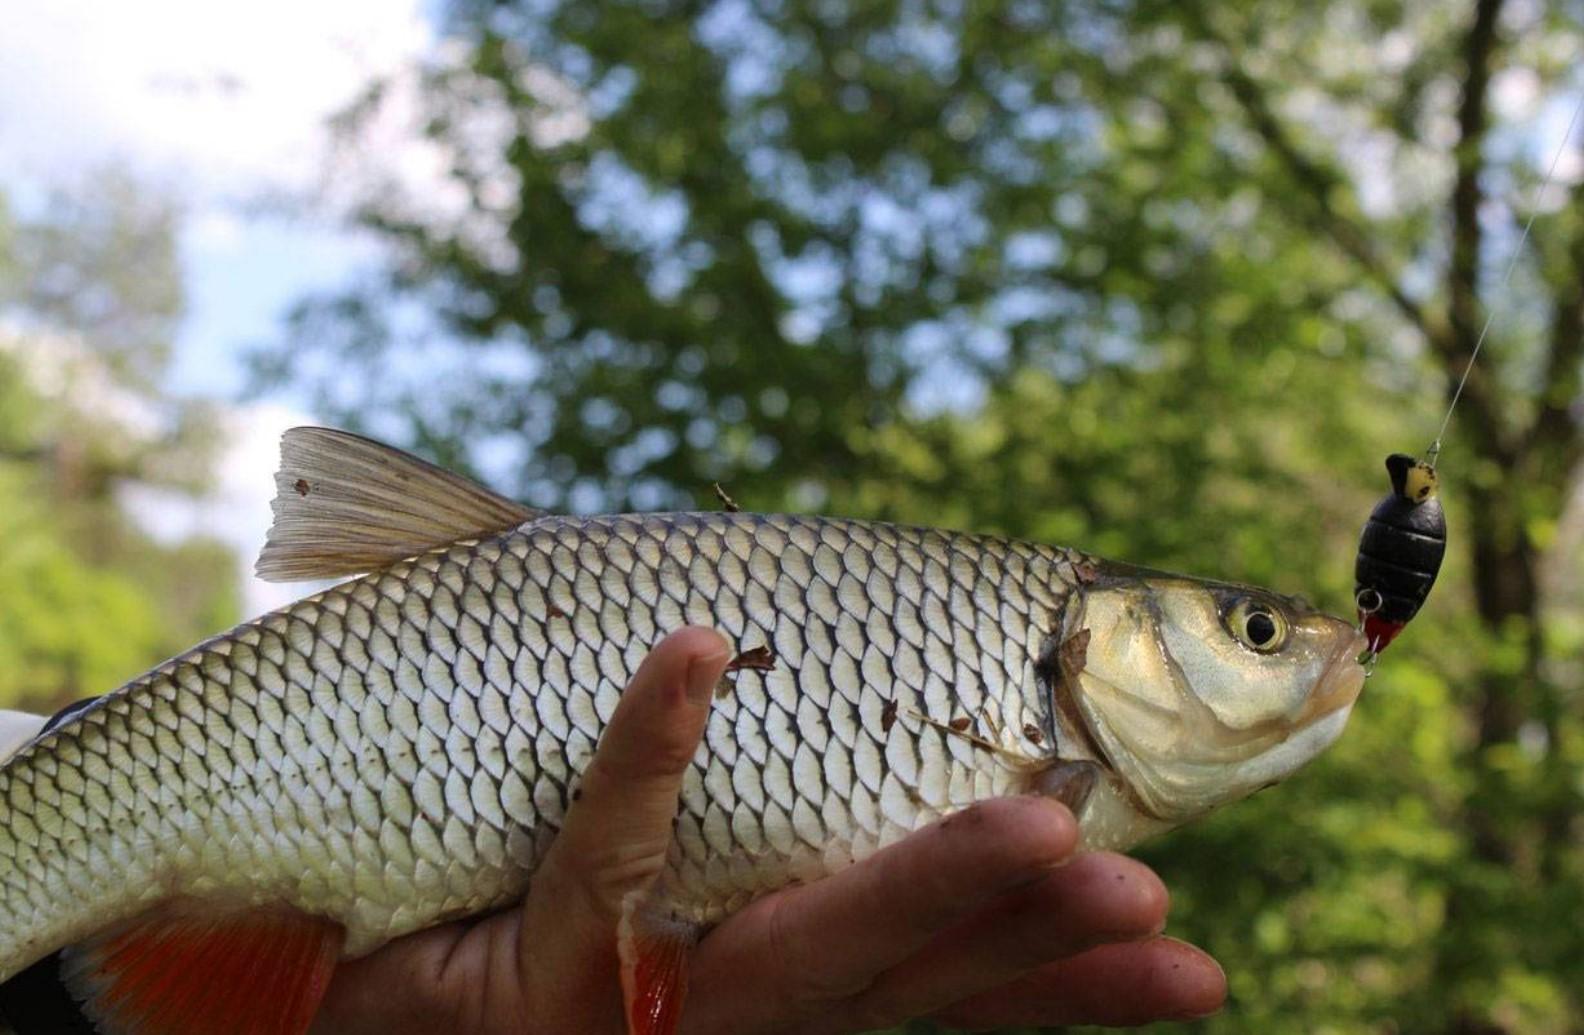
(403, 749)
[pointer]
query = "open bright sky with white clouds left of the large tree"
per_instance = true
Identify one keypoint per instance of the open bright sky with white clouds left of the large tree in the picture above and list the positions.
(224, 105)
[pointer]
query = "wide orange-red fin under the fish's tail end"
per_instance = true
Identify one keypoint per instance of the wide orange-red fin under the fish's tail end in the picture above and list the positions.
(188, 969)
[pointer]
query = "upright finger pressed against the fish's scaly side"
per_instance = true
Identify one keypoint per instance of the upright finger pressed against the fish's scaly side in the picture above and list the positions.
(617, 836)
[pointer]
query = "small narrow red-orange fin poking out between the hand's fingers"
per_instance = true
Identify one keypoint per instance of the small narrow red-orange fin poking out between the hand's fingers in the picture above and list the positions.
(653, 953)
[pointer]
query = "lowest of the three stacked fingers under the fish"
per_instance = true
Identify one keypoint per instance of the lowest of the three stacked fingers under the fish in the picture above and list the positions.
(1116, 985)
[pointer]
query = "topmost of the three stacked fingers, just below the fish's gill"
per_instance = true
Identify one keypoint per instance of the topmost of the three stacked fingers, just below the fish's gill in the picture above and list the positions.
(794, 953)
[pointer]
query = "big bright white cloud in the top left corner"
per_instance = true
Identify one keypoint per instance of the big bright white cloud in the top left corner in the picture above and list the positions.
(221, 97)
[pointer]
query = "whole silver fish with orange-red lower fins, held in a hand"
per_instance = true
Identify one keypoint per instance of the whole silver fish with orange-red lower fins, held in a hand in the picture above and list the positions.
(402, 749)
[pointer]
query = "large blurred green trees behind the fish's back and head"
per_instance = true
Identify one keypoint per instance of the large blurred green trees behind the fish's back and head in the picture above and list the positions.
(1160, 280)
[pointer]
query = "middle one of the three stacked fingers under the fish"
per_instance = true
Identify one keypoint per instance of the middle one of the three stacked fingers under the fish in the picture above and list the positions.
(1092, 901)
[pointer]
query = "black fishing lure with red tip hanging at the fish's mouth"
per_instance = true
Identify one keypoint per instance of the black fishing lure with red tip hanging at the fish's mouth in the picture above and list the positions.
(1401, 551)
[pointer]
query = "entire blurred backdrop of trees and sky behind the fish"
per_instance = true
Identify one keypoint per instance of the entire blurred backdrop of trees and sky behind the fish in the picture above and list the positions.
(1159, 280)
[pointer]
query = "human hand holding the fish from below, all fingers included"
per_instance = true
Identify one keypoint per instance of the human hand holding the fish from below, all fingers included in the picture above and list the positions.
(981, 920)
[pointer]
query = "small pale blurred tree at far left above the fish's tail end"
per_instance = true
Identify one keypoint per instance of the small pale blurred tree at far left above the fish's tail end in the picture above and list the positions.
(89, 297)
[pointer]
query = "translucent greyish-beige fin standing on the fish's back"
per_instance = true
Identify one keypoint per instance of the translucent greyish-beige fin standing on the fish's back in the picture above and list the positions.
(348, 505)
